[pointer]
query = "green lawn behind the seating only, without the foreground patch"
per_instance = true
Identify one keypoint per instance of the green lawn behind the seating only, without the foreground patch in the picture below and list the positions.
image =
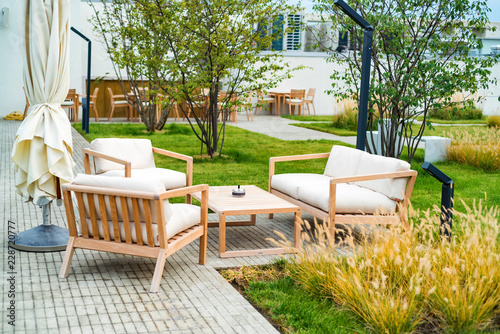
(246, 161)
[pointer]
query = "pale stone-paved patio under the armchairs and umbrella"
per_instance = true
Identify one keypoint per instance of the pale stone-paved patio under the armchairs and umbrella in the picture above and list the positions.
(108, 293)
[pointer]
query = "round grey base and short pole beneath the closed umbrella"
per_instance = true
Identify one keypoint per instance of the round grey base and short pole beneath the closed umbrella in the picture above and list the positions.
(43, 238)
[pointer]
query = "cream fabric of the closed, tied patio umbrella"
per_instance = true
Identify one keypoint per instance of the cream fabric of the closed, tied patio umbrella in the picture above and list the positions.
(42, 152)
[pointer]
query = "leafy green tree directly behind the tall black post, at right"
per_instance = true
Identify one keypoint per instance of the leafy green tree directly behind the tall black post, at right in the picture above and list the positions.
(421, 57)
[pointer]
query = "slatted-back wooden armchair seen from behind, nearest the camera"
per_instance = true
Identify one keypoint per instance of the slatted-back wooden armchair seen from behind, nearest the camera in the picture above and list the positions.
(133, 216)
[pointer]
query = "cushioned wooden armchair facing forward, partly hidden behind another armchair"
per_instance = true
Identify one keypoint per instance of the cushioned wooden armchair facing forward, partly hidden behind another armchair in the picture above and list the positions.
(120, 157)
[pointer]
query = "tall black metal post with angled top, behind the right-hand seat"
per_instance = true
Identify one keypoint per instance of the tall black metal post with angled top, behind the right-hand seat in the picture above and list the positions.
(365, 71)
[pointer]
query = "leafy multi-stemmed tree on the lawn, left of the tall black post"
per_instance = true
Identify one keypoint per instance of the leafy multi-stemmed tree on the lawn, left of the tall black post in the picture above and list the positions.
(203, 57)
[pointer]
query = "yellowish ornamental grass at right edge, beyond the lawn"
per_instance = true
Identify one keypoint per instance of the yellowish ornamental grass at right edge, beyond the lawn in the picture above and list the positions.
(480, 149)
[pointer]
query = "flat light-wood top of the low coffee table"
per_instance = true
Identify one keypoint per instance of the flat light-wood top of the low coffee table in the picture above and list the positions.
(255, 201)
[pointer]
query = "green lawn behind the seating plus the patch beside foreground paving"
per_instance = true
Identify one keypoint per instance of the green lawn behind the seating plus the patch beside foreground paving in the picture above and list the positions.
(245, 160)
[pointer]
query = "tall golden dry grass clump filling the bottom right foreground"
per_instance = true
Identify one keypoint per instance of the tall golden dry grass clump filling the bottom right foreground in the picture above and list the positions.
(406, 281)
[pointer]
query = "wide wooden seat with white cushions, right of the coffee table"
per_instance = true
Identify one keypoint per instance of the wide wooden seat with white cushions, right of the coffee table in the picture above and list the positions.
(356, 187)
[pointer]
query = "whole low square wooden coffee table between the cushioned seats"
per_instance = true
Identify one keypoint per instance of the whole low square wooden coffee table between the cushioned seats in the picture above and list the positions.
(256, 201)
